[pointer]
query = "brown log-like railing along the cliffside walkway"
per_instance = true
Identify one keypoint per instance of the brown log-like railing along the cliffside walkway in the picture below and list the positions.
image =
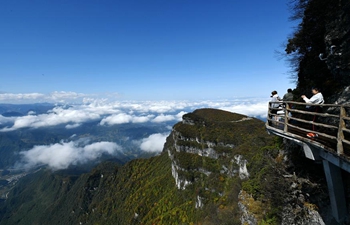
(331, 123)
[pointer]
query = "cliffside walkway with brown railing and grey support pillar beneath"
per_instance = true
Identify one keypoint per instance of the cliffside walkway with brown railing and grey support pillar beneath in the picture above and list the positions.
(330, 124)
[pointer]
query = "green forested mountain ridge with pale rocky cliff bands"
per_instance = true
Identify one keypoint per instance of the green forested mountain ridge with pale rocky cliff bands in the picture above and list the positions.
(217, 167)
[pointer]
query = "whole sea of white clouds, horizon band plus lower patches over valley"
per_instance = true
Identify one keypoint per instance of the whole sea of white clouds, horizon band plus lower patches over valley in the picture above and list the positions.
(76, 109)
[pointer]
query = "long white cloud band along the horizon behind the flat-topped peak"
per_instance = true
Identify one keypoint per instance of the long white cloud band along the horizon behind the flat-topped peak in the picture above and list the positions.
(112, 113)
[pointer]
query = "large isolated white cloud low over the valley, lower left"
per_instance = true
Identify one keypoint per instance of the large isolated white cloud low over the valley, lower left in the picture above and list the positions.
(62, 155)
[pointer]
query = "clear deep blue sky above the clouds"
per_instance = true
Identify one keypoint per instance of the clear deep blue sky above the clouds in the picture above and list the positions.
(144, 50)
